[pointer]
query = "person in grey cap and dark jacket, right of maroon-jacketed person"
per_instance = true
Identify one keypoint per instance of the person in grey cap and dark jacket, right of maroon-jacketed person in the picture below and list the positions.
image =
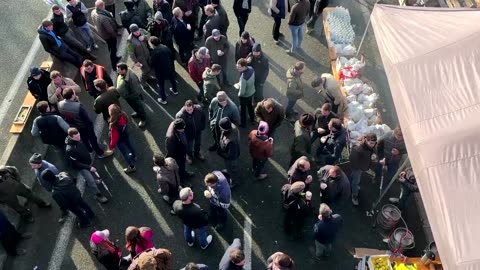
(219, 46)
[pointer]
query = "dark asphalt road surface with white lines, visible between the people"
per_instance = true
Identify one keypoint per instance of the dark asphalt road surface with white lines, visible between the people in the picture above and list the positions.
(136, 202)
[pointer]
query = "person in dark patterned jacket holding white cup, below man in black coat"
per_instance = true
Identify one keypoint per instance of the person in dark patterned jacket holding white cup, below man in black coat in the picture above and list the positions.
(168, 179)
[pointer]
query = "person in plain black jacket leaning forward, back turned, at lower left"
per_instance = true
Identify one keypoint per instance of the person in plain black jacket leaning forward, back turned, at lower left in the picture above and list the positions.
(67, 196)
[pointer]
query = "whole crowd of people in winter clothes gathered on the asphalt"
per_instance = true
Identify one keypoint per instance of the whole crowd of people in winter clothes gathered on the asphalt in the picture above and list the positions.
(64, 123)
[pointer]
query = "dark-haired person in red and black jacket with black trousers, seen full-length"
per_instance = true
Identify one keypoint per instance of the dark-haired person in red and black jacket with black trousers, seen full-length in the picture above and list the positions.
(119, 136)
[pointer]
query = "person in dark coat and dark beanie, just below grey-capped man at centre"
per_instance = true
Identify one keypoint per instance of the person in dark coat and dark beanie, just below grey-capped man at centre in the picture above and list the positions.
(229, 149)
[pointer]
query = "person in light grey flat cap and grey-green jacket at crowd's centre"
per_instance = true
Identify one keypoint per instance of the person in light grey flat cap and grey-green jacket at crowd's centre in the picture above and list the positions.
(221, 106)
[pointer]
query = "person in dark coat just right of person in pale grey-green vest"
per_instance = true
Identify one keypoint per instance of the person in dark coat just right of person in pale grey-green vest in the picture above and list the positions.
(259, 62)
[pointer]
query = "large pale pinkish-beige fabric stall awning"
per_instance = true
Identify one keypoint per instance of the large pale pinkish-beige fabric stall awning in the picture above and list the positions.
(432, 61)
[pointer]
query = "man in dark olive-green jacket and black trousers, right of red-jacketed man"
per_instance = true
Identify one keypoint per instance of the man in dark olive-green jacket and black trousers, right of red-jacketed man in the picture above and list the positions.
(130, 89)
